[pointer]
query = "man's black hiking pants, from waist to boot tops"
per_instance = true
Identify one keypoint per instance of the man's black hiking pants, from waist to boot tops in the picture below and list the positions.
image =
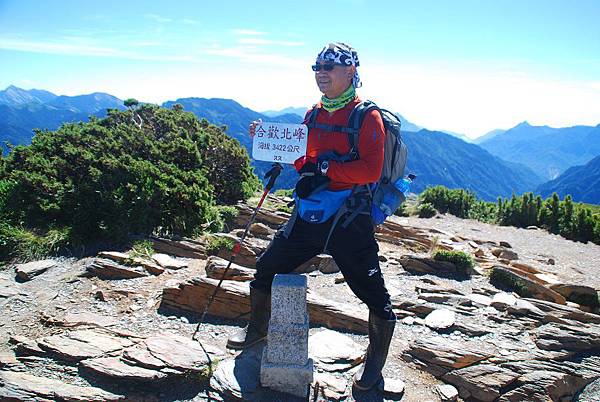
(353, 248)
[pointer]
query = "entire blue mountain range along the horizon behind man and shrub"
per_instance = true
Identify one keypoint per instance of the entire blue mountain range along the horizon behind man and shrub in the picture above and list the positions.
(435, 157)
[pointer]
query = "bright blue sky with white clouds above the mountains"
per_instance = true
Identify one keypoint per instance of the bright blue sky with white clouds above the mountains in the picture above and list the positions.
(465, 66)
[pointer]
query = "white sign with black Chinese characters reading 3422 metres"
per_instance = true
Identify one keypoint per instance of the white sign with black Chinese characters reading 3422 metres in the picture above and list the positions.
(279, 142)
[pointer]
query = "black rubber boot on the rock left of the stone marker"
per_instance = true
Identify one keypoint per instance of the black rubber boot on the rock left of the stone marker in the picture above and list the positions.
(256, 331)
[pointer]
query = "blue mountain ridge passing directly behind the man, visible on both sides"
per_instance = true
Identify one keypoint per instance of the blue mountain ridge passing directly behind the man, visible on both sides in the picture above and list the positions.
(435, 157)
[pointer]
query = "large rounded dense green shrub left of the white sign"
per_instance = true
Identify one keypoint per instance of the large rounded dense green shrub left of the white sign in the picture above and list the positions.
(112, 177)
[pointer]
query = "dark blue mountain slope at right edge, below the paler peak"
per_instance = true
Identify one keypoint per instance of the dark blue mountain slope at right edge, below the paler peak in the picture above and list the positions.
(581, 182)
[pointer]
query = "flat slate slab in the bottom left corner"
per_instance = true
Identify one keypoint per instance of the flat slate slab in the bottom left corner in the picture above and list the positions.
(26, 387)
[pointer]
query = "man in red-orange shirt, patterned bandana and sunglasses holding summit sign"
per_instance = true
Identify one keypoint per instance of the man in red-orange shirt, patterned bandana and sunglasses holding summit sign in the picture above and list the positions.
(333, 172)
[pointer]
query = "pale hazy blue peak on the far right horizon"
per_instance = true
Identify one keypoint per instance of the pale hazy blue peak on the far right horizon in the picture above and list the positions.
(547, 151)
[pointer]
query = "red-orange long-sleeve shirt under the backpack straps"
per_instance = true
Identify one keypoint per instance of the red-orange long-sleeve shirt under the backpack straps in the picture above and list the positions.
(371, 139)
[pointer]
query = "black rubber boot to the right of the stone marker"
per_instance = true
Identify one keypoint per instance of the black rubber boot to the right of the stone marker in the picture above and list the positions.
(380, 336)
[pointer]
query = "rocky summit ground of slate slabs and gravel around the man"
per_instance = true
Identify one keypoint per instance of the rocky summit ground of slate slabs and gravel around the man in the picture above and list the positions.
(113, 327)
